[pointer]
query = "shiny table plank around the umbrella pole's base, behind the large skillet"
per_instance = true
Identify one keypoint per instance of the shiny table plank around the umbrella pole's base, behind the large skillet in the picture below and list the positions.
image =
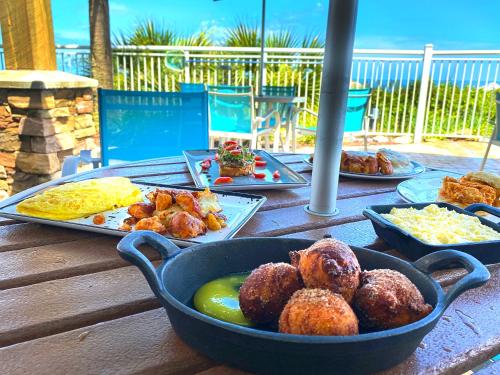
(295, 219)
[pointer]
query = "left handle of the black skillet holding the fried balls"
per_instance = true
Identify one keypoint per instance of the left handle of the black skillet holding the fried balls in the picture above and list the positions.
(127, 248)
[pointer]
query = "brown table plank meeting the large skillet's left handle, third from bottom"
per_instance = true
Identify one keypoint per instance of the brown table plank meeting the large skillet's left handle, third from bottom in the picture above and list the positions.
(57, 261)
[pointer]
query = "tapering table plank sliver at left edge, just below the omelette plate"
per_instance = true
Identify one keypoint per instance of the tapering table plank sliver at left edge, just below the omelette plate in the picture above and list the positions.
(19, 236)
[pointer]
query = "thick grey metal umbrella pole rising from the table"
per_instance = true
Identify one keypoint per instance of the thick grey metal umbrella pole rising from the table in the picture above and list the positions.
(332, 106)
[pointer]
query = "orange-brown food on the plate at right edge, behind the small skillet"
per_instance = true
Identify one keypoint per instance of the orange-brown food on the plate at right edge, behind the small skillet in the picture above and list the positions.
(475, 187)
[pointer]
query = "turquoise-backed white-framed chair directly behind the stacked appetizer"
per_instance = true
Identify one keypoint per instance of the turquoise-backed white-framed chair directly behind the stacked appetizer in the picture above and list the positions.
(232, 115)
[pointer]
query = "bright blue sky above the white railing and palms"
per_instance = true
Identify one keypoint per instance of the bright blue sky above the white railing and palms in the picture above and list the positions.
(448, 24)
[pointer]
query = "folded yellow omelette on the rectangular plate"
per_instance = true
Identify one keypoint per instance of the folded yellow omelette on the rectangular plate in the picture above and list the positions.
(79, 199)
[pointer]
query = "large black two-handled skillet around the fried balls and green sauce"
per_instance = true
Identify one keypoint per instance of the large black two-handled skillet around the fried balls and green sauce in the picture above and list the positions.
(176, 280)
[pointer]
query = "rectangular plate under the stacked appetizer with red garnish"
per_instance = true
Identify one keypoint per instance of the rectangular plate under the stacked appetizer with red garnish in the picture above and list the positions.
(288, 178)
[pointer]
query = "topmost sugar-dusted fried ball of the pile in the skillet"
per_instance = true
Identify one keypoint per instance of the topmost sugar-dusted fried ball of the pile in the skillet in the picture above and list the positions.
(329, 264)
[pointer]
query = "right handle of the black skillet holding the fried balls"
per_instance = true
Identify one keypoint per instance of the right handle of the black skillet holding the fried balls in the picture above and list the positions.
(477, 275)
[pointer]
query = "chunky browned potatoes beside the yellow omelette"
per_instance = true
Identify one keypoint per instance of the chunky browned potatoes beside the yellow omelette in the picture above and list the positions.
(179, 213)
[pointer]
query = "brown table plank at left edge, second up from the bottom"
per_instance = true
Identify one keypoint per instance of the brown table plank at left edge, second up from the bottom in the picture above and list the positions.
(60, 305)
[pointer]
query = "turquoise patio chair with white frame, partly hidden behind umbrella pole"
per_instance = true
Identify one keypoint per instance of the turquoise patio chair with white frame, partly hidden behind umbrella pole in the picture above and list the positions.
(355, 120)
